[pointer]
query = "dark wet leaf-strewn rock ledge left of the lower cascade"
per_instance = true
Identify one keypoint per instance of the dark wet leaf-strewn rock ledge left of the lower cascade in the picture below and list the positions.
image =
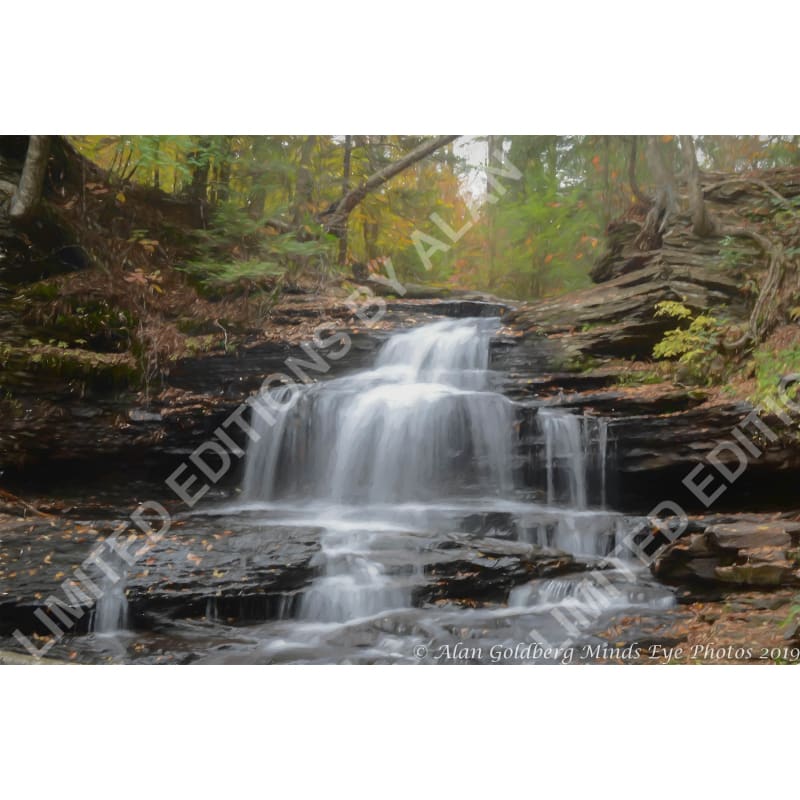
(198, 568)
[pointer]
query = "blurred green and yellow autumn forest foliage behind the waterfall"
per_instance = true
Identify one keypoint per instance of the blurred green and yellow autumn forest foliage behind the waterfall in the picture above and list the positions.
(530, 236)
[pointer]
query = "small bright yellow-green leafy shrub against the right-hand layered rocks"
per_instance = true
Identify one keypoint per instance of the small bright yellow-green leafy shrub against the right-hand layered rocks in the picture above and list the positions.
(695, 346)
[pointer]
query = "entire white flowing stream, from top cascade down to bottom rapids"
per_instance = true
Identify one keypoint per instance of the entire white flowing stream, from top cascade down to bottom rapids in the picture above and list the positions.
(409, 472)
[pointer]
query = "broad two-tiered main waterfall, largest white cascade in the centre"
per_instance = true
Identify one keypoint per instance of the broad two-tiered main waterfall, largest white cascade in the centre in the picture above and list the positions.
(421, 425)
